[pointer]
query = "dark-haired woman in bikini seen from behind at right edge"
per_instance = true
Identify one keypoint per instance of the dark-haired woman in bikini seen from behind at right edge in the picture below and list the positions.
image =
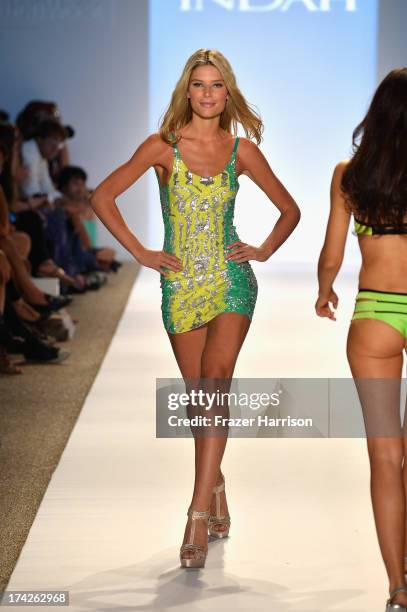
(372, 187)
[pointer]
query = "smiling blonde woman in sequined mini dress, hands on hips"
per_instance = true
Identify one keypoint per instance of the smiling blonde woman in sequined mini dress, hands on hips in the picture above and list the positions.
(208, 286)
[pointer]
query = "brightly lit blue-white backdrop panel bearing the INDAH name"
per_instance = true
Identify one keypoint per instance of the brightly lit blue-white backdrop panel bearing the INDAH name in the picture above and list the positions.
(310, 73)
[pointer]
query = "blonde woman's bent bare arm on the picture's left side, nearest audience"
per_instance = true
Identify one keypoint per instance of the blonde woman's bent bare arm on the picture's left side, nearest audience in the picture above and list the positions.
(148, 154)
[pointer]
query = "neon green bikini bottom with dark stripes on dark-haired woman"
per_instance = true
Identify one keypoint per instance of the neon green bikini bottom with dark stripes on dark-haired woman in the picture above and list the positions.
(384, 306)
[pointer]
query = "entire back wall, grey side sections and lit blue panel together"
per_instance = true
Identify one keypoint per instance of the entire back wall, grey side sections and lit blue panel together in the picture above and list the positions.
(112, 64)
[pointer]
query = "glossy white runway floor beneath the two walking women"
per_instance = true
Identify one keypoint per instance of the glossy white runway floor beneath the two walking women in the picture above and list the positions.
(112, 520)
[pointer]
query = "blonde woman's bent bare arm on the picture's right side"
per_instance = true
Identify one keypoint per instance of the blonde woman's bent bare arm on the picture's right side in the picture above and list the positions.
(252, 162)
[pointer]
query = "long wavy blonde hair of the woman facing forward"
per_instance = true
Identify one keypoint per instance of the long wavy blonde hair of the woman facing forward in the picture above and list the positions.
(237, 109)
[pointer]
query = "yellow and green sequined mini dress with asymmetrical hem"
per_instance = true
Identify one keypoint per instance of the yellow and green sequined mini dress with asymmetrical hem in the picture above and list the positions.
(198, 217)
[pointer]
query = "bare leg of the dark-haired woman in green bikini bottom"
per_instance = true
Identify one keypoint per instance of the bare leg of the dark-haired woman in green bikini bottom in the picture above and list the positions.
(375, 351)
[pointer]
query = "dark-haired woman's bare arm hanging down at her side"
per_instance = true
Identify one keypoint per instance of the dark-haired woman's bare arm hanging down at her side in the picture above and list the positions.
(331, 257)
